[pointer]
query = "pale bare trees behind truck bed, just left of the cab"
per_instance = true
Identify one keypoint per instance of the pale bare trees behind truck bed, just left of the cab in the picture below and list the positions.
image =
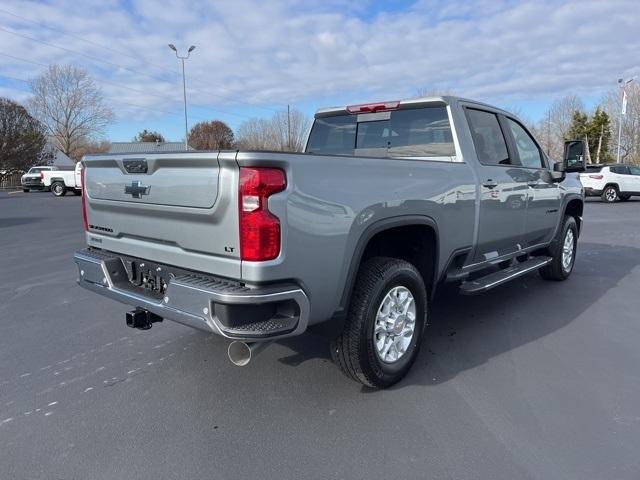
(281, 132)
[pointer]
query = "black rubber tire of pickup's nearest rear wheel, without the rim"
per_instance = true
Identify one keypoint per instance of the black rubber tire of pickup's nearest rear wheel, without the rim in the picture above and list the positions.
(354, 350)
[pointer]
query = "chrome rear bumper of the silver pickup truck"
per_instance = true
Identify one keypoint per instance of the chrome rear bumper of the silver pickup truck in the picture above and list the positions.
(202, 301)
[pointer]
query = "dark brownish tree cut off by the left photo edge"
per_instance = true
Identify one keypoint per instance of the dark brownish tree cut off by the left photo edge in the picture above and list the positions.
(22, 139)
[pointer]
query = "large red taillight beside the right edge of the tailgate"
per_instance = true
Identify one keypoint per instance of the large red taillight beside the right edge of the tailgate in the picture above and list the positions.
(259, 229)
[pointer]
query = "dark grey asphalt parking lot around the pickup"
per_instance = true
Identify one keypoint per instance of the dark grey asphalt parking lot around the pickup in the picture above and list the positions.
(532, 380)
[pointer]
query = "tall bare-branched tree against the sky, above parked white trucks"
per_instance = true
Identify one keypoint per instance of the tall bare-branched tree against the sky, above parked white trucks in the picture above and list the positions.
(68, 103)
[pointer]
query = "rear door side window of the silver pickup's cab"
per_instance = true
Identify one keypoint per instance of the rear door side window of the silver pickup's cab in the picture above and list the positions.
(488, 138)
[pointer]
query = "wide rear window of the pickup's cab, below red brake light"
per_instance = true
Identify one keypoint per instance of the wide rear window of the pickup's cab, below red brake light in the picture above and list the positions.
(417, 132)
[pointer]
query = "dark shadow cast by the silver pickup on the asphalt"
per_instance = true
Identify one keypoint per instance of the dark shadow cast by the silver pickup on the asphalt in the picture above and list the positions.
(466, 331)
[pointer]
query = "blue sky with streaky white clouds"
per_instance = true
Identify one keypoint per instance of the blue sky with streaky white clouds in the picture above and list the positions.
(254, 58)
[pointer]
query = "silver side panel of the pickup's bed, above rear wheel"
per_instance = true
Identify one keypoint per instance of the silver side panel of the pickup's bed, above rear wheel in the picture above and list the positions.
(333, 204)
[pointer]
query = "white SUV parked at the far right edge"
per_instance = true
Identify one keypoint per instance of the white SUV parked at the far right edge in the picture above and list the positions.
(611, 182)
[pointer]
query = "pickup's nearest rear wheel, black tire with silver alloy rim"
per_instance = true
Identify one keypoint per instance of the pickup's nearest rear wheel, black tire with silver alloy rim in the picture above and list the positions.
(385, 325)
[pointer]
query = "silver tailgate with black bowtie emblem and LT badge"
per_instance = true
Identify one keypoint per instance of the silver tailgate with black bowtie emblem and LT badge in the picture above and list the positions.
(176, 208)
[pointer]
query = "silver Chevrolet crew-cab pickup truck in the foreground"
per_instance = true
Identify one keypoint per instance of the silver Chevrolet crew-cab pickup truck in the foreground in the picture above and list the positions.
(350, 239)
